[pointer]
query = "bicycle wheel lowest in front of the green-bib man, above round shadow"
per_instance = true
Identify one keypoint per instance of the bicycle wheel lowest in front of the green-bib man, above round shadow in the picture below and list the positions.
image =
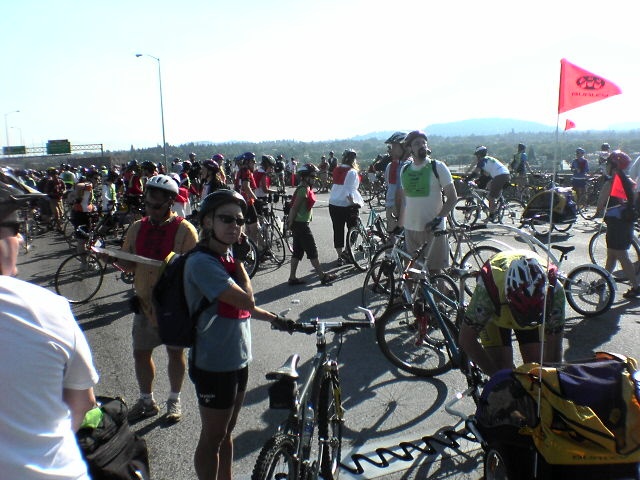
(399, 341)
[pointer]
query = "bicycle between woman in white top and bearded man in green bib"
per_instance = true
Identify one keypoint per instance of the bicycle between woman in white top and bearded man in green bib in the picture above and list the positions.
(363, 241)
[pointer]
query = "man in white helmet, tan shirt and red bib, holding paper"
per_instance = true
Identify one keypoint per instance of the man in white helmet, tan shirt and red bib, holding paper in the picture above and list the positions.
(155, 236)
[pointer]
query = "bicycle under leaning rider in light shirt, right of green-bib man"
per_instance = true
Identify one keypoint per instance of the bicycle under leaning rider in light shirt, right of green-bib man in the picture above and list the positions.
(468, 208)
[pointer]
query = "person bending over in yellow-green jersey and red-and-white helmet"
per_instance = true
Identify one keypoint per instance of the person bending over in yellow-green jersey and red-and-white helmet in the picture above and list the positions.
(511, 292)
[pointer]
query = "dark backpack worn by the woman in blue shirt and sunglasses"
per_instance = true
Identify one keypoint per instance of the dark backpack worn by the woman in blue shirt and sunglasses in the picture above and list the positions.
(176, 325)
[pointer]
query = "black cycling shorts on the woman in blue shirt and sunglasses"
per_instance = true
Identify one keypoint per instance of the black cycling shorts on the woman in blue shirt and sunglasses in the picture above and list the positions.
(218, 390)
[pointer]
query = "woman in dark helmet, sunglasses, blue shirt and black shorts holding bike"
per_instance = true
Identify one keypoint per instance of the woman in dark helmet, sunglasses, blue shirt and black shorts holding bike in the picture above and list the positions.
(222, 352)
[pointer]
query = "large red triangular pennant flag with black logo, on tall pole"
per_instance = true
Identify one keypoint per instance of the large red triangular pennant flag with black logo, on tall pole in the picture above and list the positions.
(579, 87)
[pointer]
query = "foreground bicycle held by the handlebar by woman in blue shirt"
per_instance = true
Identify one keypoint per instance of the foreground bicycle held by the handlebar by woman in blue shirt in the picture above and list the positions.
(309, 442)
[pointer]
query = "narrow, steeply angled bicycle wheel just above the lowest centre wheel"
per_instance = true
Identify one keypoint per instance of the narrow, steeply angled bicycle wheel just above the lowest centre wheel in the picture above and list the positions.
(379, 283)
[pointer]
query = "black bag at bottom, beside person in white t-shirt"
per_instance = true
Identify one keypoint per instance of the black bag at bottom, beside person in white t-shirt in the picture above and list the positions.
(112, 451)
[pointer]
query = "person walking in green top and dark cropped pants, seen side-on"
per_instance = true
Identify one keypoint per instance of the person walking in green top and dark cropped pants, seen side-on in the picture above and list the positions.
(299, 218)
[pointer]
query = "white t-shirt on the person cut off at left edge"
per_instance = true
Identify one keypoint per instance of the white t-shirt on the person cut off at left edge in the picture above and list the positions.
(42, 350)
